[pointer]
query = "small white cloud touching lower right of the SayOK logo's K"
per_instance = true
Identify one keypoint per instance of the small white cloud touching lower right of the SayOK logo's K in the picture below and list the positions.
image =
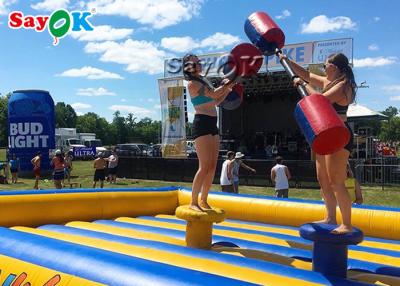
(102, 33)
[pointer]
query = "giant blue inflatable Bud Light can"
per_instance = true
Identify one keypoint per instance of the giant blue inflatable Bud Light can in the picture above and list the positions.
(31, 126)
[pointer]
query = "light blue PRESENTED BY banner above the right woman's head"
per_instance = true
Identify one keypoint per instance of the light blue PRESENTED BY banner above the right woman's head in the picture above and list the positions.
(324, 49)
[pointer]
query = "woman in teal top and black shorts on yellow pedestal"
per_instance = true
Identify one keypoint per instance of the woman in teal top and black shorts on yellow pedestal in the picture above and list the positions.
(204, 98)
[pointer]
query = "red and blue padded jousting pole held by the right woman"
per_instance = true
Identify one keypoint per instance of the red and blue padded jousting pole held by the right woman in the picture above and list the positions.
(321, 125)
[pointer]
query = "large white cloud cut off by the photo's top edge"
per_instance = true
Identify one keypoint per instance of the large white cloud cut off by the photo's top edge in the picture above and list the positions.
(156, 13)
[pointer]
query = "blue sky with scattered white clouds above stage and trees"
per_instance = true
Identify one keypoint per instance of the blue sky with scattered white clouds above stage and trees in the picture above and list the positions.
(116, 66)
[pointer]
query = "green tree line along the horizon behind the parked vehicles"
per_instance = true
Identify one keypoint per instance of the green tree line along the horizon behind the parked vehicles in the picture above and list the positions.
(130, 129)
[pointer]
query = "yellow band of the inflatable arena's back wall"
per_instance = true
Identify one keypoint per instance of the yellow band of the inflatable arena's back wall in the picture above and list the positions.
(58, 208)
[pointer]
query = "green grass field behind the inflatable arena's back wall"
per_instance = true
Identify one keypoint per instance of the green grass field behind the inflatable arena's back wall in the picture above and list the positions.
(83, 172)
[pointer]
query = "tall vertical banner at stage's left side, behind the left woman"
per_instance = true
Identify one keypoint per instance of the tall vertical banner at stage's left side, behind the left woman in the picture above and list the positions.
(172, 100)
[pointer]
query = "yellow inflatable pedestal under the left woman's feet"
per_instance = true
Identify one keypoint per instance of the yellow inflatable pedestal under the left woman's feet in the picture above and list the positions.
(199, 225)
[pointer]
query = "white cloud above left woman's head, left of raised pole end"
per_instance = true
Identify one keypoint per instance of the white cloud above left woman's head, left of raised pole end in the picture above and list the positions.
(213, 42)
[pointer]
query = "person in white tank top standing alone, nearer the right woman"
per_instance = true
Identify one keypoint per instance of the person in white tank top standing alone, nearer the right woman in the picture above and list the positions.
(280, 175)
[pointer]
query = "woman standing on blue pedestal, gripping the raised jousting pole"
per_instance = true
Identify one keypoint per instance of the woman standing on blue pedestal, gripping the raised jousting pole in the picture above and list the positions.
(339, 87)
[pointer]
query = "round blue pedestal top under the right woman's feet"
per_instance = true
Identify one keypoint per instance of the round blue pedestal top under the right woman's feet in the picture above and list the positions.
(321, 232)
